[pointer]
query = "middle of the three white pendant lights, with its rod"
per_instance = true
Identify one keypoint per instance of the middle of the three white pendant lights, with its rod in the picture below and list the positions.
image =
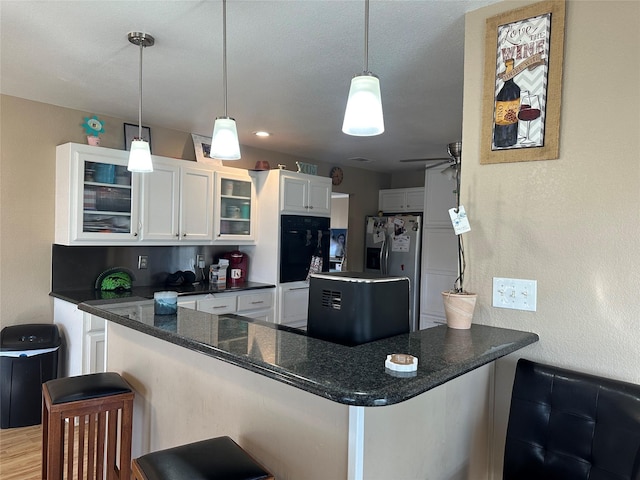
(224, 141)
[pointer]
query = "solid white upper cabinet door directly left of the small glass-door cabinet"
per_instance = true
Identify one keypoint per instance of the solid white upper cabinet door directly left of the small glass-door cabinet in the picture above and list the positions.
(196, 204)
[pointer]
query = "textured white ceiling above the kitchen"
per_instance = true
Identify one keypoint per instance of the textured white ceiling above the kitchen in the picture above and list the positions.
(289, 67)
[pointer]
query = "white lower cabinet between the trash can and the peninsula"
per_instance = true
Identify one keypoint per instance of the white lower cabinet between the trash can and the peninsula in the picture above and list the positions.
(84, 339)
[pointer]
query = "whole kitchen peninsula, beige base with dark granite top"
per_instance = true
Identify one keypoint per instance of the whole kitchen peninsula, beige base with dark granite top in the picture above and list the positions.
(304, 407)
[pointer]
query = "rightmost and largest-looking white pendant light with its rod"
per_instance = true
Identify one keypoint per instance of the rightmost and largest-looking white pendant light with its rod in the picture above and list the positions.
(363, 115)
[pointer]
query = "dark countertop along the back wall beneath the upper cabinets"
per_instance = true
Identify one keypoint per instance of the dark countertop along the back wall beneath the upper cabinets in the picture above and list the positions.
(84, 295)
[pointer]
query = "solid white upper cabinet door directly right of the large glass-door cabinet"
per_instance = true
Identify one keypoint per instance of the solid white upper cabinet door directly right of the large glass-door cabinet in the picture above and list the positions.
(160, 204)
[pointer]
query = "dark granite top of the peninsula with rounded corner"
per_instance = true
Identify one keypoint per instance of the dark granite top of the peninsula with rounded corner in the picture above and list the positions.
(349, 375)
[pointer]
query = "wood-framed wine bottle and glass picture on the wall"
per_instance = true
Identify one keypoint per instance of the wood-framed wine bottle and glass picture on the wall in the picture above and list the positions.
(523, 84)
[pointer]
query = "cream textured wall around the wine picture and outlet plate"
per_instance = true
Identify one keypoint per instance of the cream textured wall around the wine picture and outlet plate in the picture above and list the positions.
(572, 224)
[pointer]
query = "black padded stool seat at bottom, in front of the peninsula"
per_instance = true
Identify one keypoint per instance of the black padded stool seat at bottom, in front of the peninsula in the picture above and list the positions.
(217, 458)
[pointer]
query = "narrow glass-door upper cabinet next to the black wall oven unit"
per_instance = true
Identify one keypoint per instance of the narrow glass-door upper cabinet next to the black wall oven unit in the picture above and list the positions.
(234, 207)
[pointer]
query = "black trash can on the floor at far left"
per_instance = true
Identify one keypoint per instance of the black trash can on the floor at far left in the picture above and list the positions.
(28, 358)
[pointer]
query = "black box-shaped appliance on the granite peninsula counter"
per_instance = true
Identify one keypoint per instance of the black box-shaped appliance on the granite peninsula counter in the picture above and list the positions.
(352, 308)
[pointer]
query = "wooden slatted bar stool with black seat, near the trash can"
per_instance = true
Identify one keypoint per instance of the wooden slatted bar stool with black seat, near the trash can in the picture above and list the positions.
(101, 405)
